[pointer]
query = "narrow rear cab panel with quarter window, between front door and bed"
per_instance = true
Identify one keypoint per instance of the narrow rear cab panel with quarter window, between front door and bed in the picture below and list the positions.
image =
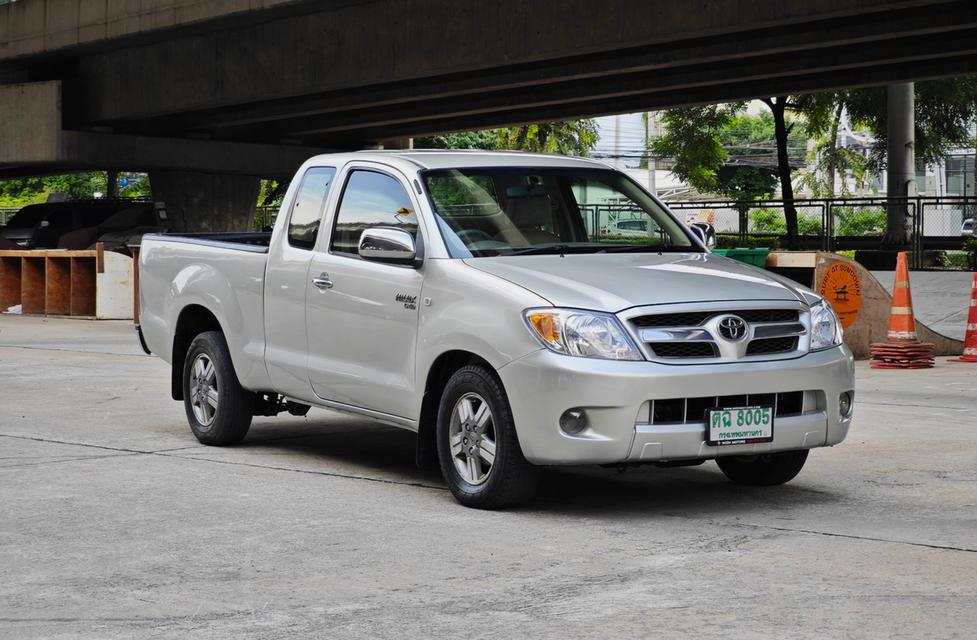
(286, 278)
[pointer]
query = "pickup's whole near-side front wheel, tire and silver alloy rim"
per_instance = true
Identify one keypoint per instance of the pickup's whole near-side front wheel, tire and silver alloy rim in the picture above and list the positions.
(477, 445)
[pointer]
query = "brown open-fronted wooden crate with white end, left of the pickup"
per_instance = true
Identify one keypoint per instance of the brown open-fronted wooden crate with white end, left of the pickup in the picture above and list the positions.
(88, 284)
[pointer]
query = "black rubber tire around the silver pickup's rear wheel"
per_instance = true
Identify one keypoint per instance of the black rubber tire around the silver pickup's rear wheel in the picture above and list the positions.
(231, 418)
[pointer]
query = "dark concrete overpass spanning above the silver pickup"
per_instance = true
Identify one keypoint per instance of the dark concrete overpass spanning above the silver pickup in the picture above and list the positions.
(249, 87)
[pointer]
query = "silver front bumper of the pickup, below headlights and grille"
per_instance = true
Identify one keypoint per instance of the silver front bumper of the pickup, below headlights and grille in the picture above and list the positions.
(617, 395)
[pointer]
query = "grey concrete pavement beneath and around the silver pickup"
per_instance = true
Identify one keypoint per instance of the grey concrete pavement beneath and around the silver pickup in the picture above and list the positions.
(115, 523)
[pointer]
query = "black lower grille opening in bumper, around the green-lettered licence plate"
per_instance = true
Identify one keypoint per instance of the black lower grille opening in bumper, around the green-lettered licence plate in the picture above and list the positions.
(693, 410)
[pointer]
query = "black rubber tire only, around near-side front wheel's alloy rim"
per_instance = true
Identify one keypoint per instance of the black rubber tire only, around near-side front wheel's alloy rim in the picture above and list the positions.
(510, 479)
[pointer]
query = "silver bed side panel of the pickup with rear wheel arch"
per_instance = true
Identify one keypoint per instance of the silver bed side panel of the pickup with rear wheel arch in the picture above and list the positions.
(226, 281)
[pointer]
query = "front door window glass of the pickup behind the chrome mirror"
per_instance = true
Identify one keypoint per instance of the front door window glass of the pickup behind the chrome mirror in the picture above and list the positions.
(370, 200)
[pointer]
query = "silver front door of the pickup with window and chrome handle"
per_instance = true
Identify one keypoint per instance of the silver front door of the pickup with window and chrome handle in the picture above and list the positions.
(362, 315)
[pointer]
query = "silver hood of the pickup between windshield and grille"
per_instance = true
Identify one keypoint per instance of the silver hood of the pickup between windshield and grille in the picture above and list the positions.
(613, 282)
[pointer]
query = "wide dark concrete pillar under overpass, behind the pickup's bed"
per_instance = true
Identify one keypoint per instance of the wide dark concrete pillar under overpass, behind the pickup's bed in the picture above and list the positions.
(206, 202)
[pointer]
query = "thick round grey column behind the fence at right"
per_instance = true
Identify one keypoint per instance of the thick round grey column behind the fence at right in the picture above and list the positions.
(901, 161)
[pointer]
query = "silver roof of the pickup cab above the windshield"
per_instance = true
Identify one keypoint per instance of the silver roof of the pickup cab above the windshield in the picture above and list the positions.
(463, 158)
